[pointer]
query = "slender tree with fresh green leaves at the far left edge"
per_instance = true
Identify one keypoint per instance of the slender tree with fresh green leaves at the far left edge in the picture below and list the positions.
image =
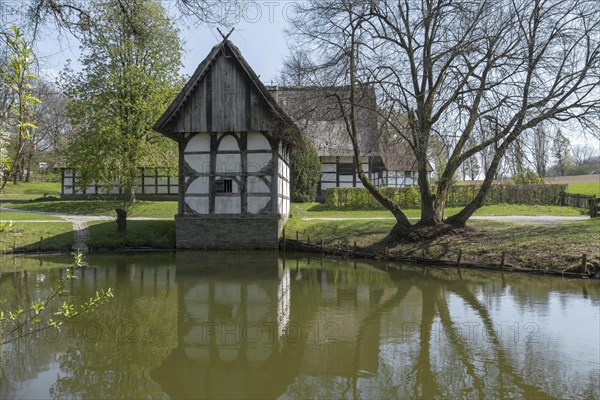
(16, 77)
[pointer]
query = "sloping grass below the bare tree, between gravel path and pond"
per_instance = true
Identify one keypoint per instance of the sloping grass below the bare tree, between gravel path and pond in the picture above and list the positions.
(553, 246)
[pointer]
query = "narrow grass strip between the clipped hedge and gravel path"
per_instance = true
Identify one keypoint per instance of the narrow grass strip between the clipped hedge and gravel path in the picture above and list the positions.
(317, 210)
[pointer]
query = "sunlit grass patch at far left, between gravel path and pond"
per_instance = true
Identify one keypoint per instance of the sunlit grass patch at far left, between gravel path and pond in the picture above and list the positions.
(26, 236)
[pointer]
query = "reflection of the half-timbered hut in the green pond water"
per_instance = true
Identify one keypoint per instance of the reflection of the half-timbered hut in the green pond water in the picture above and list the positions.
(228, 323)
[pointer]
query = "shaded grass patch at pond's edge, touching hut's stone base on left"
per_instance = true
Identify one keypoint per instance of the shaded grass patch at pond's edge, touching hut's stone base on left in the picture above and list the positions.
(154, 234)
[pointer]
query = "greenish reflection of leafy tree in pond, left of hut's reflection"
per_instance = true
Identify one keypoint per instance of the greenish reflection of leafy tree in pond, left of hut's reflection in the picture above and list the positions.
(115, 348)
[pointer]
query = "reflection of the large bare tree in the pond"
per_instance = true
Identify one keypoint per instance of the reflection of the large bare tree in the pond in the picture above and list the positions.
(455, 365)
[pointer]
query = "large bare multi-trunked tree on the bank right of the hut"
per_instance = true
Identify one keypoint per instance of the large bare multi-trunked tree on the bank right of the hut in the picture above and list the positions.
(460, 70)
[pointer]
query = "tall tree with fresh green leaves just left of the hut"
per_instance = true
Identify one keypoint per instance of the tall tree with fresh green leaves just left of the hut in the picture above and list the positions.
(131, 55)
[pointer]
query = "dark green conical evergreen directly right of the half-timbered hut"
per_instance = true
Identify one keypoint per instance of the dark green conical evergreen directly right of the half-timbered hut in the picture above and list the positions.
(305, 173)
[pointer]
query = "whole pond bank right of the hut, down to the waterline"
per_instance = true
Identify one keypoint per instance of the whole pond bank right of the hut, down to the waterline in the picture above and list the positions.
(563, 249)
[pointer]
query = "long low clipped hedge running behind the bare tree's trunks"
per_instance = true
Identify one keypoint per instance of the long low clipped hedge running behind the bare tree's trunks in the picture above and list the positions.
(408, 197)
